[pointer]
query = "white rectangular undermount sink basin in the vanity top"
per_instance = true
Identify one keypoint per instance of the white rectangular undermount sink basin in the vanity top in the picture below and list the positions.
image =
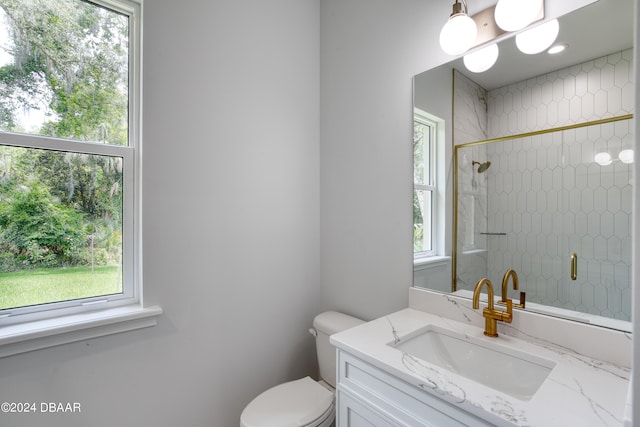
(510, 371)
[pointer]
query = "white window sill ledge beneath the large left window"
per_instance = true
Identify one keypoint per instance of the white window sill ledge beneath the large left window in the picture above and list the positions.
(24, 337)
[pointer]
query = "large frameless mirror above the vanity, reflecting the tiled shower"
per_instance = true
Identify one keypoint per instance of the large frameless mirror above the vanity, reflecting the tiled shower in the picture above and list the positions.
(515, 147)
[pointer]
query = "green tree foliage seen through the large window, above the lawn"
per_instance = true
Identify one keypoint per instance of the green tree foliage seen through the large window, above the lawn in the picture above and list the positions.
(70, 60)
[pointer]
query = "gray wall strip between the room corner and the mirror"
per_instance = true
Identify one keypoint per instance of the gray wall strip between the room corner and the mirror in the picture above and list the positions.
(370, 50)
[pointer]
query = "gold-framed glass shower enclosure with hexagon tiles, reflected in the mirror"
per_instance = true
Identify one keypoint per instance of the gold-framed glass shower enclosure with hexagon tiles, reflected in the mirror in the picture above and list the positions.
(555, 205)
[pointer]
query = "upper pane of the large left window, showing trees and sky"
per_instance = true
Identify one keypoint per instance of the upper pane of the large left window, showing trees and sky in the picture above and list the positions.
(64, 70)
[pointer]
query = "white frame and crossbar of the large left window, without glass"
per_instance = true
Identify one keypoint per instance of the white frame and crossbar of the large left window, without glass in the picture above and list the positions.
(132, 215)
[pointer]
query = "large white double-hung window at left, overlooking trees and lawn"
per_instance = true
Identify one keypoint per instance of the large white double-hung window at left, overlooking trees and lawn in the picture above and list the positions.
(69, 155)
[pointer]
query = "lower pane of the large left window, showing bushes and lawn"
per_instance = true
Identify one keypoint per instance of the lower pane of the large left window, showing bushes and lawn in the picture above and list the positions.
(60, 226)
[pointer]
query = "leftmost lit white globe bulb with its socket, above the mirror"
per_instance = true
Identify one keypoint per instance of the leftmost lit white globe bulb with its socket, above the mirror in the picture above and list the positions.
(459, 33)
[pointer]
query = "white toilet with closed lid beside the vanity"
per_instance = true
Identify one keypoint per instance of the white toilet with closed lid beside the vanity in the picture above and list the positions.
(304, 402)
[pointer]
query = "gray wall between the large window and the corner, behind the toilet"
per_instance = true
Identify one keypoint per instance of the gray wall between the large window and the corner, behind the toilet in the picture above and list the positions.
(231, 226)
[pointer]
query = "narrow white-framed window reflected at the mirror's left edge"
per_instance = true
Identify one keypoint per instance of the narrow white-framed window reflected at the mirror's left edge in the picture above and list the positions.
(425, 188)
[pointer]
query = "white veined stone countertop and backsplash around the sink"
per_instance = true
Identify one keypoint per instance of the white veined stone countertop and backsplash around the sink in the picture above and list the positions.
(581, 389)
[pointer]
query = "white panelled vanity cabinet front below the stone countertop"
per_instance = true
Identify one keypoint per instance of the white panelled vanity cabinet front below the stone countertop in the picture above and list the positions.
(368, 396)
